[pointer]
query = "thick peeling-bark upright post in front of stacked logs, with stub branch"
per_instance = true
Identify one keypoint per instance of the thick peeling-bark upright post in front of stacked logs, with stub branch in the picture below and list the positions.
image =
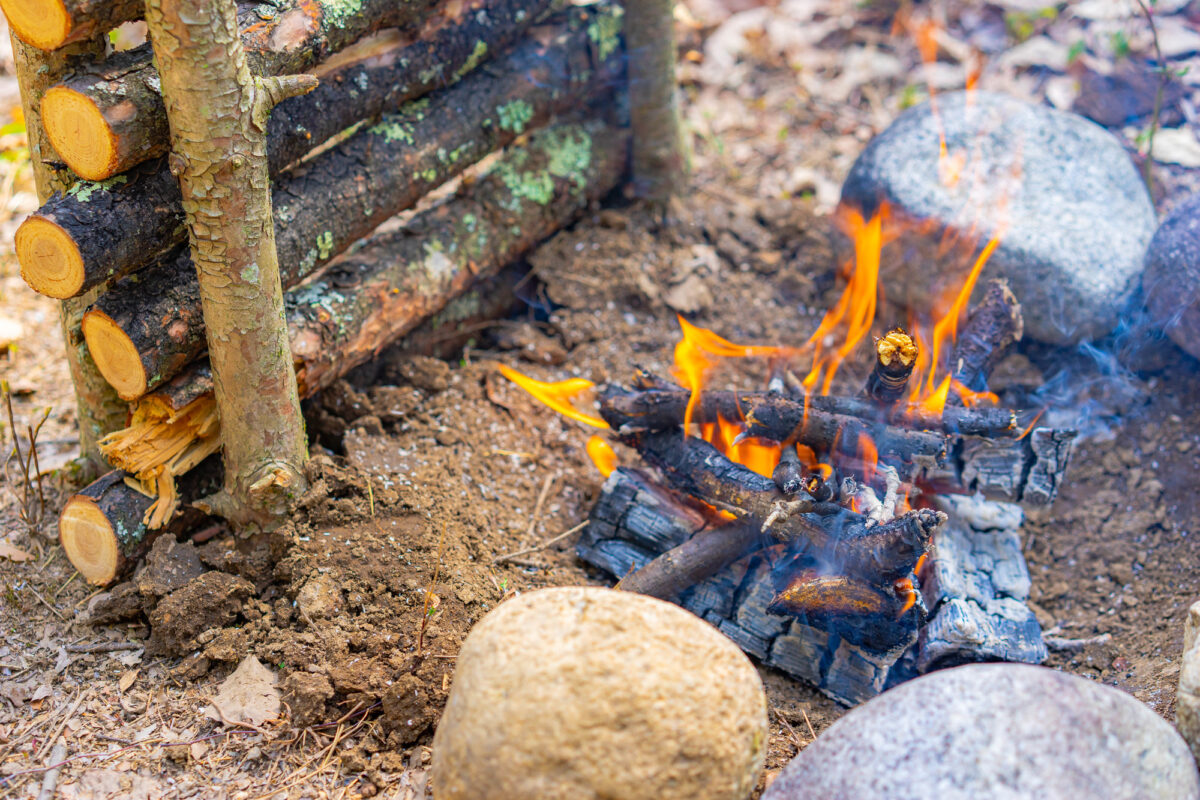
(218, 115)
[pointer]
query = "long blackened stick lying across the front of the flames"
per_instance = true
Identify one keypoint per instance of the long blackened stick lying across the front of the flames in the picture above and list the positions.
(771, 417)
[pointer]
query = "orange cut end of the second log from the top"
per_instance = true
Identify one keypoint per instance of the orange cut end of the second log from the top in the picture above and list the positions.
(81, 134)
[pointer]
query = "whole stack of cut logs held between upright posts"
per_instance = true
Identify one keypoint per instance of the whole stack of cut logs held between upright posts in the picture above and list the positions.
(411, 97)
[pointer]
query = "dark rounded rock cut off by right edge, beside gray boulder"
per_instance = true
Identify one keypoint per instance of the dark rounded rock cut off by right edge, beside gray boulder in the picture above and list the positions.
(1172, 282)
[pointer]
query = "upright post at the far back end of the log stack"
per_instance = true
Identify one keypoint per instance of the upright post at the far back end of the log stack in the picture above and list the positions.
(661, 164)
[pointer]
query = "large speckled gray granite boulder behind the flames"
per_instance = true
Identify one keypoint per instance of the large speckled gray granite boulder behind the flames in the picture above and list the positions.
(1078, 215)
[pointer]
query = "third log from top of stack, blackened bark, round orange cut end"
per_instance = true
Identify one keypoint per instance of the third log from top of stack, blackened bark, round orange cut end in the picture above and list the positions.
(98, 232)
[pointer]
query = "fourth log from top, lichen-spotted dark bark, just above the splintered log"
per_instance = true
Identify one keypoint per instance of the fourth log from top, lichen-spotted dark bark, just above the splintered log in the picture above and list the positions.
(149, 326)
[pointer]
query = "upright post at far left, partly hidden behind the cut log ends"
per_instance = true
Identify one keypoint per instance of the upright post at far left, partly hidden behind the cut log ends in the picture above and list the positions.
(98, 407)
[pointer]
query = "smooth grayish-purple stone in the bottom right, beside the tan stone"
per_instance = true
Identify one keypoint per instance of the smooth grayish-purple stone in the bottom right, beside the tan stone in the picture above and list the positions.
(995, 731)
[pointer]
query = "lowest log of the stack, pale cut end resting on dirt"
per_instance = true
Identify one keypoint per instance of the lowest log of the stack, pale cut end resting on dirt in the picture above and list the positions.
(104, 527)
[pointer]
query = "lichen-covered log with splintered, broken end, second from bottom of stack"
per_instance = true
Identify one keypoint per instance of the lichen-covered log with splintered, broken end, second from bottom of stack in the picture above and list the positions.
(531, 193)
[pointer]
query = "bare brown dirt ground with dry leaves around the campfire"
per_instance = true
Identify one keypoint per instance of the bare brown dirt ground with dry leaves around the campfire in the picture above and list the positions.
(429, 472)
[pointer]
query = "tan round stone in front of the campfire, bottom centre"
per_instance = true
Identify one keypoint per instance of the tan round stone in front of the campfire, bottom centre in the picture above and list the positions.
(593, 694)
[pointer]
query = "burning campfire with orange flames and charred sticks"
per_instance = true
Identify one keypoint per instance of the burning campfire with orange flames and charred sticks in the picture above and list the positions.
(806, 524)
